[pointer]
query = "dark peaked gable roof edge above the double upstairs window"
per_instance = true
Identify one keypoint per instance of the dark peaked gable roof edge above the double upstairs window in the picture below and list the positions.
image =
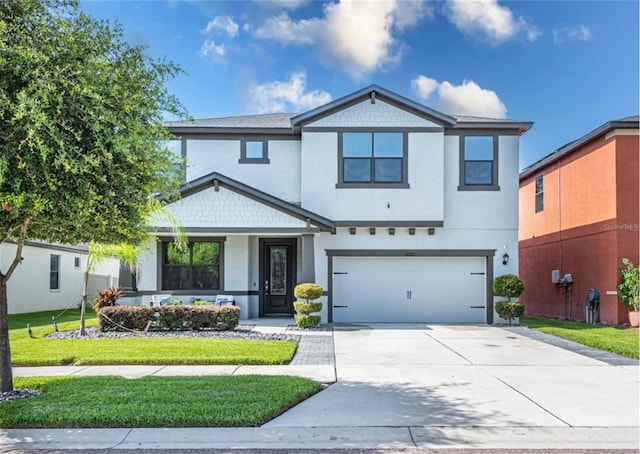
(373, 92)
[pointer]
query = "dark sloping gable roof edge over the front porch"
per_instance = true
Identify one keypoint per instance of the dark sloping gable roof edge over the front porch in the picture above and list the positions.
(216, 179)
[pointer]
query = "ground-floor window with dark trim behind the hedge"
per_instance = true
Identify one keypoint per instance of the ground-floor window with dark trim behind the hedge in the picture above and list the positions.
(196, 267)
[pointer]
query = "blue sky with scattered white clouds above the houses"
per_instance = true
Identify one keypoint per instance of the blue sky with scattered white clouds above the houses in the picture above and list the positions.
(569, 66)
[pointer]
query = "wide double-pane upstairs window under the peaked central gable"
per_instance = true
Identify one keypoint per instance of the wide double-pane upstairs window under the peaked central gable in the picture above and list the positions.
(372, 159)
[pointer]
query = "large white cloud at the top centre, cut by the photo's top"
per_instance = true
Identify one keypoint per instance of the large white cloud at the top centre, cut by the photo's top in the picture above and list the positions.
(355, 36)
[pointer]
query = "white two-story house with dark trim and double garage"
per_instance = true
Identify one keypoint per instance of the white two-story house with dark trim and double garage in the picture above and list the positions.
(402, 213)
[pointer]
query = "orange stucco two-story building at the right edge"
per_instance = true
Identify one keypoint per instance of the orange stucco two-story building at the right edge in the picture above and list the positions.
(579, 215)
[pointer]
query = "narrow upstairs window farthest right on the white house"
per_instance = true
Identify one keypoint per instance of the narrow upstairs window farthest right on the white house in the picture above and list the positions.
(478, 163)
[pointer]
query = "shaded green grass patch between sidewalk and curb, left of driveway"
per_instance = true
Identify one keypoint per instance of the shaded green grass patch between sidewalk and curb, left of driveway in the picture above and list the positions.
(237, 401)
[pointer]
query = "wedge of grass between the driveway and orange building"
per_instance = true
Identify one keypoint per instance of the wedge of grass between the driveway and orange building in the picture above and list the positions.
(625, 342)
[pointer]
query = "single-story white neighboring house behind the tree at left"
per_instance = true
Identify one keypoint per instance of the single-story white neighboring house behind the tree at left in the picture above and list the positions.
(50, 277)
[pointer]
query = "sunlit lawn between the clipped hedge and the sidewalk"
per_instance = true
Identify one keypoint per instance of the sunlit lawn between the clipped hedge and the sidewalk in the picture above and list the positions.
(41, 351)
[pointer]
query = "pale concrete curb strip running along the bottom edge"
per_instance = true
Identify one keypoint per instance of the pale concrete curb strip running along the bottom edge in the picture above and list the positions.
(403, 437)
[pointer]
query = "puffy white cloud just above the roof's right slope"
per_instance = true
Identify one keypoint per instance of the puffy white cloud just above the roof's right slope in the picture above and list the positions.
(465, 99)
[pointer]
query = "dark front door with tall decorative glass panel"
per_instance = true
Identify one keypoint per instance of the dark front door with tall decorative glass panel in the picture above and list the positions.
(278, 275)
